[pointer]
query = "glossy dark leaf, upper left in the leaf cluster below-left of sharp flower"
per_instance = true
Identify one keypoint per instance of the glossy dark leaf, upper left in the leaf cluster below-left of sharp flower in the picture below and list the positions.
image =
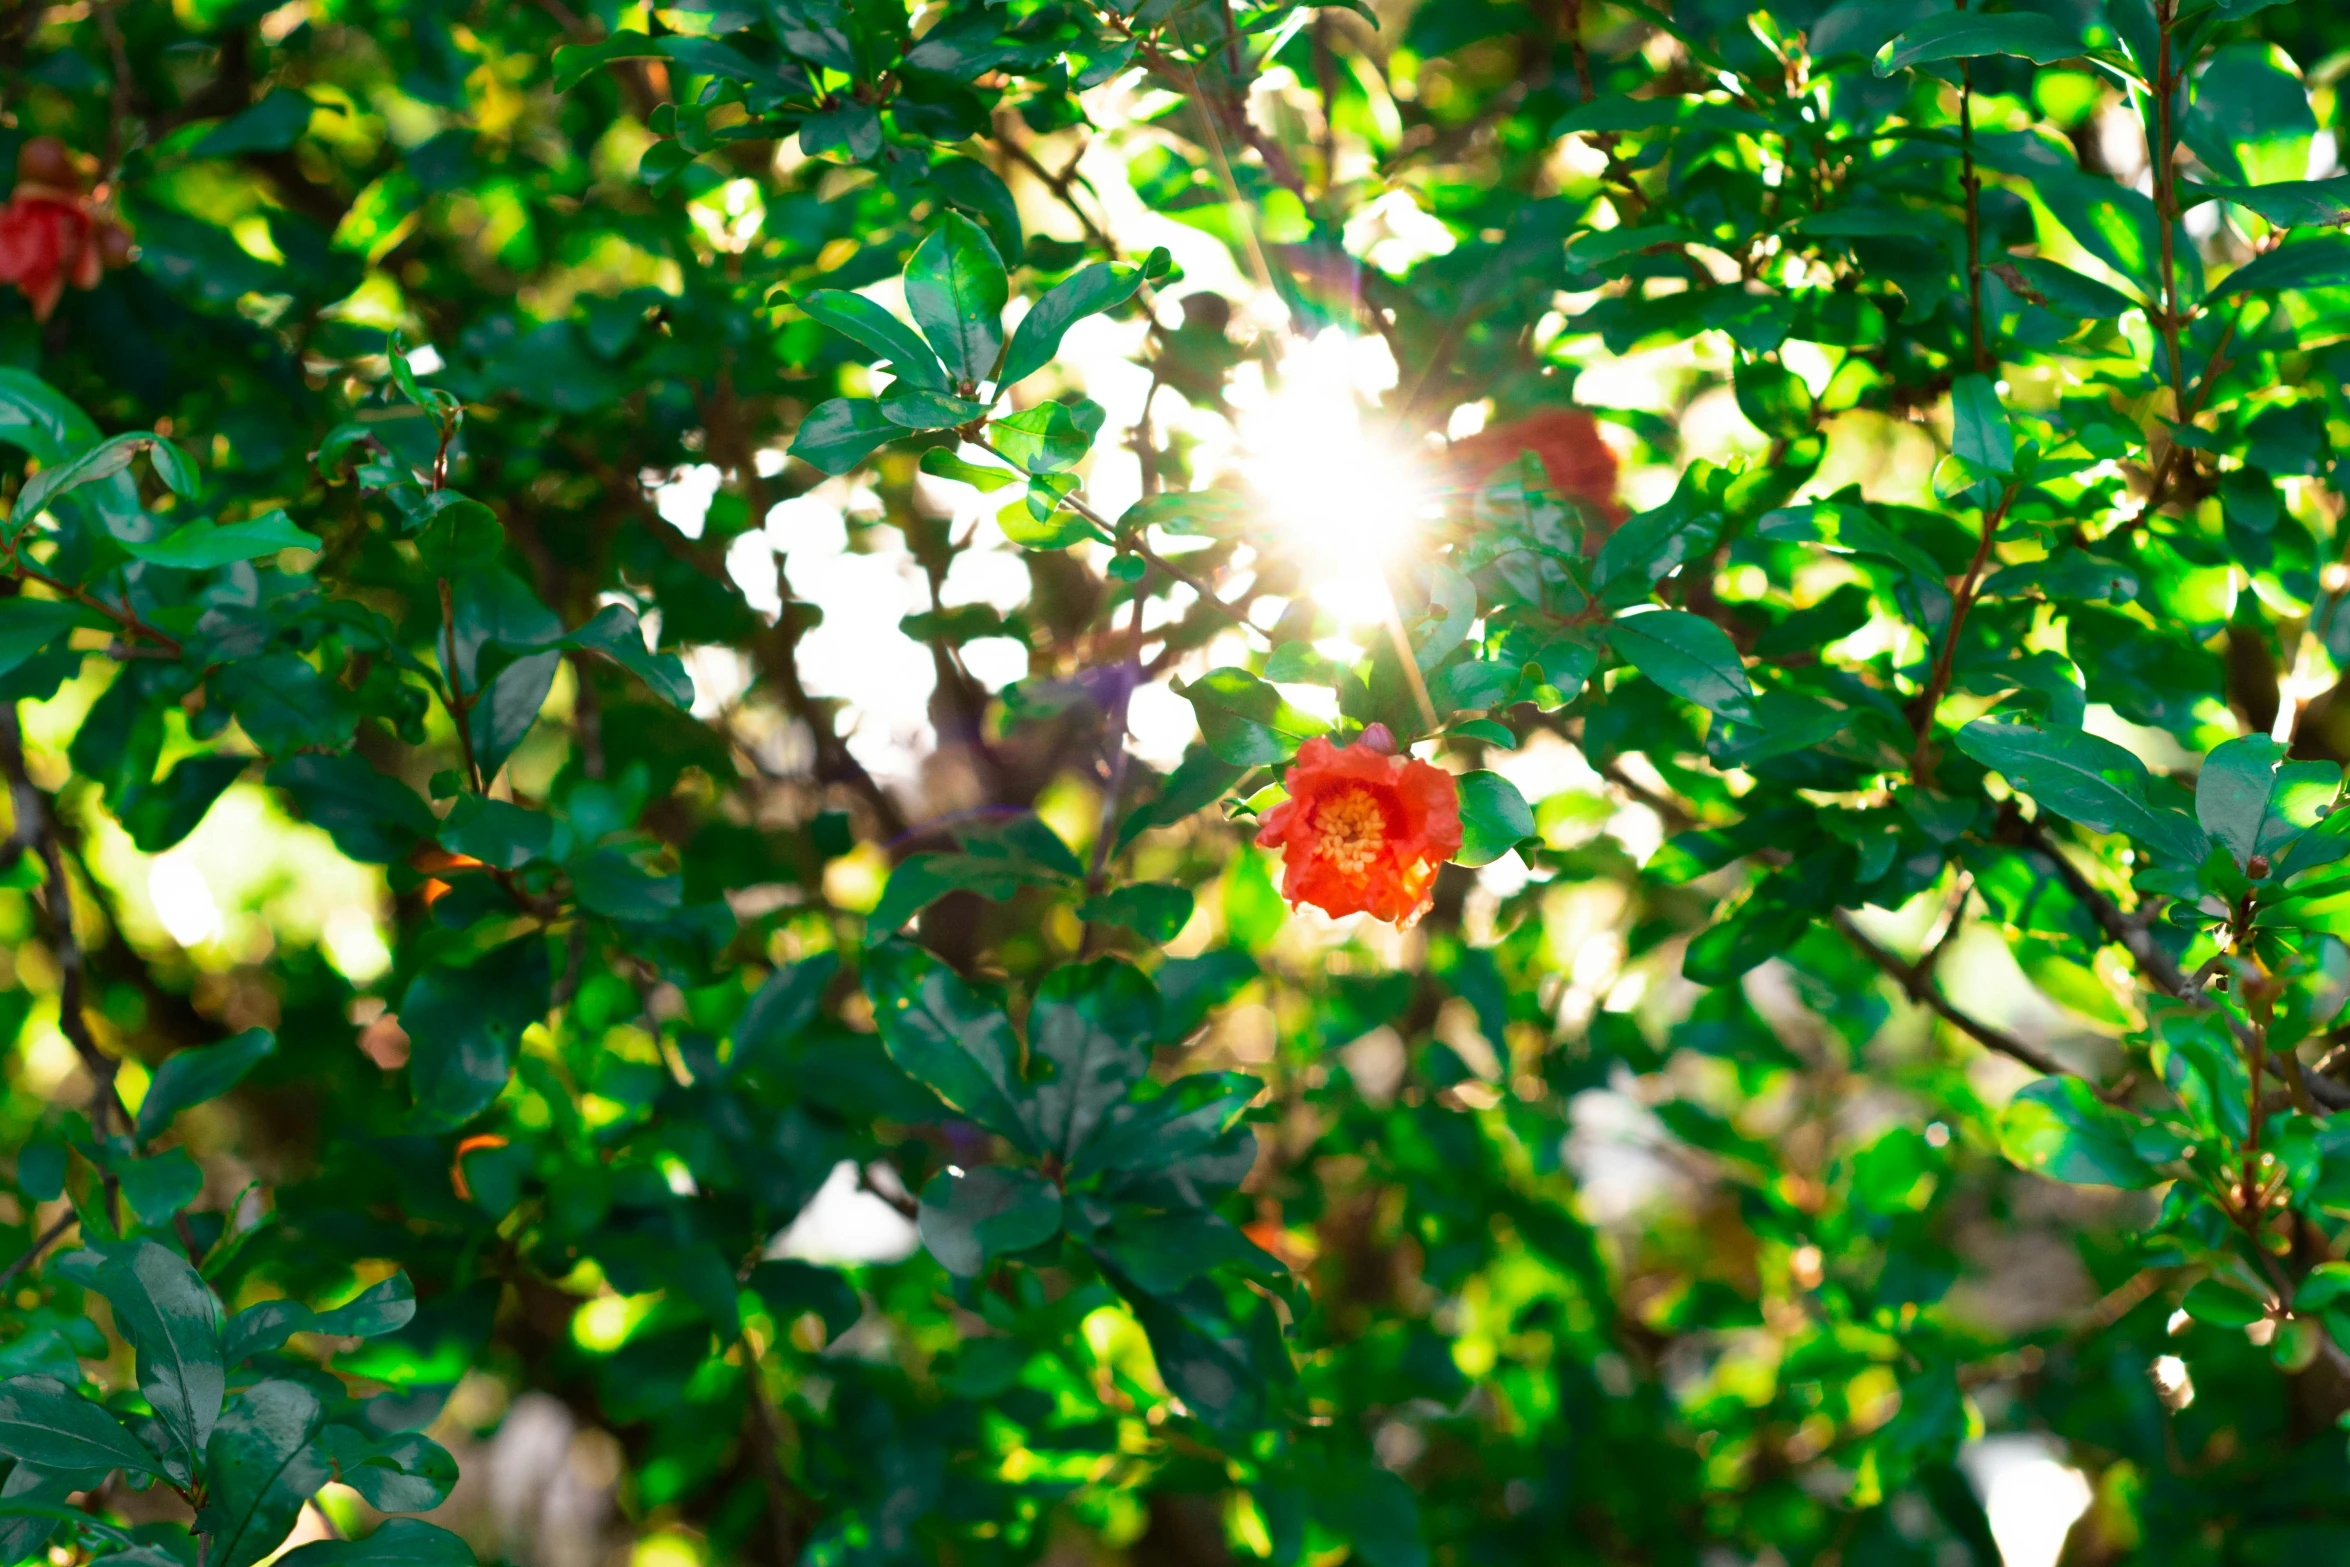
(951, 1040)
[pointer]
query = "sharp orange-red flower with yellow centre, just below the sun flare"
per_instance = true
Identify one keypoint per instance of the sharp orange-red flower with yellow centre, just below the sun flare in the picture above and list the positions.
(1364, 830)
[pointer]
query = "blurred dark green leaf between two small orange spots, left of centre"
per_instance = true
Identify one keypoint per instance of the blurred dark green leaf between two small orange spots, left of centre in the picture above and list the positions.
(464, 1025)
